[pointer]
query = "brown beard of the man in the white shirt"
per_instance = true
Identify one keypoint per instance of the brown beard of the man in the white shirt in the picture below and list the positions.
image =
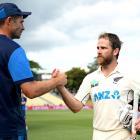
(104, 61)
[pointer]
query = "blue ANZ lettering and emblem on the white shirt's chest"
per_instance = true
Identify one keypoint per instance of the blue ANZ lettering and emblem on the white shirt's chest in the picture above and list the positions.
(105, 95)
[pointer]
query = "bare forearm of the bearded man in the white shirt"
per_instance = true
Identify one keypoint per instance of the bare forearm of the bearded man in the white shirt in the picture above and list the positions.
(73, 104)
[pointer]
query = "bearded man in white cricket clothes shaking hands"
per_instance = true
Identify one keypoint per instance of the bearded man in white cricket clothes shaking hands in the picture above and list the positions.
(110, 92)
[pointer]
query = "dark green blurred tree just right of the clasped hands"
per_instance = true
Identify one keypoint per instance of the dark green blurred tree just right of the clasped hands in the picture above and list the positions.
(75, 78)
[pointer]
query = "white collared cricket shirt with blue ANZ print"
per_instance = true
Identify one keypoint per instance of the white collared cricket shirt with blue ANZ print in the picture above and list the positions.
(108, 94)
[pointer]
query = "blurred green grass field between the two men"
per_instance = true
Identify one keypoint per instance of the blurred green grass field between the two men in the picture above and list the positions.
(59, 125)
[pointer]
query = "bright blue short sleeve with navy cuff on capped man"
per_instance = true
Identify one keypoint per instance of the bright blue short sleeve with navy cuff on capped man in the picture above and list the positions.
(19, 67)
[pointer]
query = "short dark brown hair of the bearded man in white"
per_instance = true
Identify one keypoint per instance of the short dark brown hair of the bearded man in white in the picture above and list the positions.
(114, 40)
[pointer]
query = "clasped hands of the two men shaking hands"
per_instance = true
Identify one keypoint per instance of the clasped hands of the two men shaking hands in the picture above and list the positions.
(59, 77)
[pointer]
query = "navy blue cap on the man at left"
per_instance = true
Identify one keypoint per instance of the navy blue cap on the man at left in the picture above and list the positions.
(10, 9)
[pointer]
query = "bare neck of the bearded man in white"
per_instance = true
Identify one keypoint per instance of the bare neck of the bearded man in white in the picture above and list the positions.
(109, 68)
